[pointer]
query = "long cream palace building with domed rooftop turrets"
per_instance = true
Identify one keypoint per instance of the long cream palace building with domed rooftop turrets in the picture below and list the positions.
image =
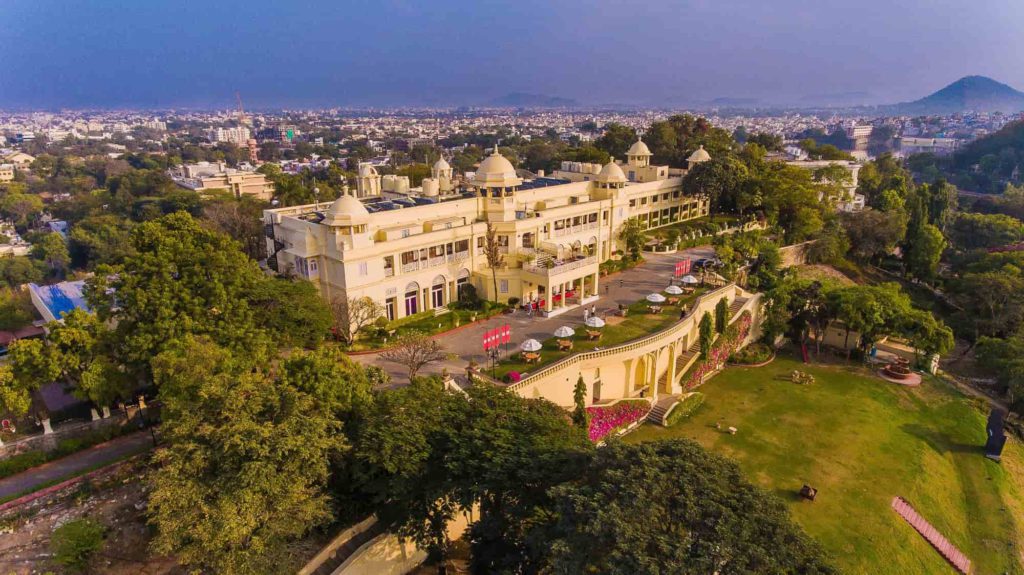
(412, 250)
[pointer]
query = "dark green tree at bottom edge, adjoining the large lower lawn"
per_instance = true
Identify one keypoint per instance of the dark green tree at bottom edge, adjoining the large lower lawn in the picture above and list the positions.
(673, 508)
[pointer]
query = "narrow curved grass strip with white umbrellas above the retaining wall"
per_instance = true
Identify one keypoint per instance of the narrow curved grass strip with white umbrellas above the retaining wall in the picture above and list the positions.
(637, 325)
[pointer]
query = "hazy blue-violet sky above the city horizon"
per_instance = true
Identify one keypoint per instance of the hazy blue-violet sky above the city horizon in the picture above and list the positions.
(157, 54)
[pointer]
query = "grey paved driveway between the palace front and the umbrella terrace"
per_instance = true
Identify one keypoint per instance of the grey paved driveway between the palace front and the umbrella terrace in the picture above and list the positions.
(623, 288)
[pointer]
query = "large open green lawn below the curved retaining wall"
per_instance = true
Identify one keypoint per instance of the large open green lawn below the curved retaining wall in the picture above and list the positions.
(861, 441)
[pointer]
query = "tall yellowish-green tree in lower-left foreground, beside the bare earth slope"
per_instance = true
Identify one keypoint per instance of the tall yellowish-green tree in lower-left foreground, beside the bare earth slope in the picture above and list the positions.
(245, 463)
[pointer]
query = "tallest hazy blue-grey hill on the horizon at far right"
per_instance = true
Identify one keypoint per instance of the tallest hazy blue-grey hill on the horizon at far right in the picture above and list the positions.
(971, 94)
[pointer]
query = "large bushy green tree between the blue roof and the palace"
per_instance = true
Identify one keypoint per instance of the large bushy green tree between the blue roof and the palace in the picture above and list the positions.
(183, 280)
